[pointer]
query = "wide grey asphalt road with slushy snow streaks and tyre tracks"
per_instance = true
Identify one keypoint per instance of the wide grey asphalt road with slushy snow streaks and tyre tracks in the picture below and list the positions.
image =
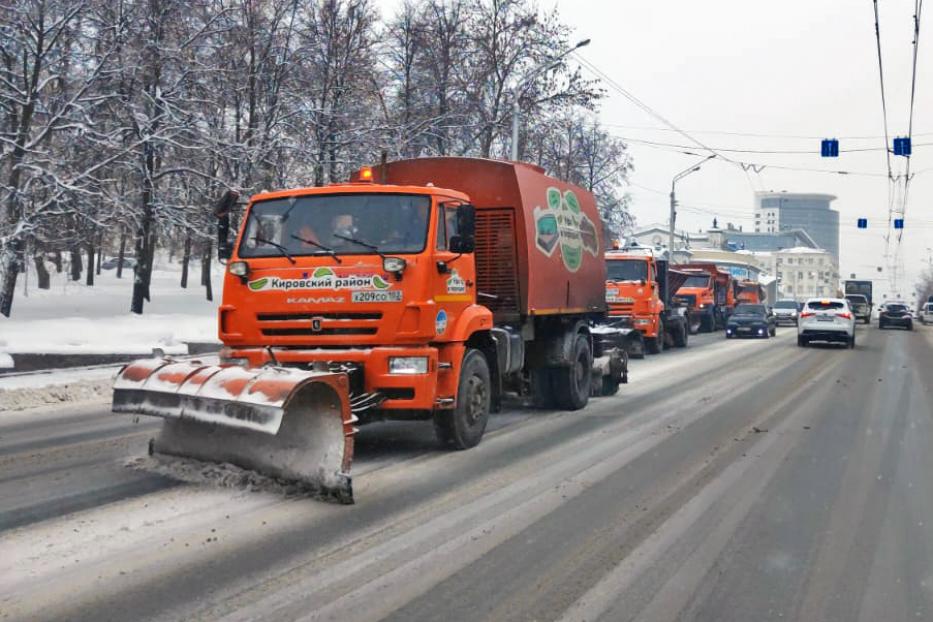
(734, 480)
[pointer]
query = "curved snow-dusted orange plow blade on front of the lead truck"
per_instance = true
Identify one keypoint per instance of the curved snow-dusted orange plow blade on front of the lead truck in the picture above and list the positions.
(291, 424)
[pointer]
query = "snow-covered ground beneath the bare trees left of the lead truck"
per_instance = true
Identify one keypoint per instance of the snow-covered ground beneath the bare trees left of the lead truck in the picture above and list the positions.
(74, 318)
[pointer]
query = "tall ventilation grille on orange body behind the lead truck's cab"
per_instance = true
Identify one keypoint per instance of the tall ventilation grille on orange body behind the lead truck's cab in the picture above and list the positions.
(496, 261)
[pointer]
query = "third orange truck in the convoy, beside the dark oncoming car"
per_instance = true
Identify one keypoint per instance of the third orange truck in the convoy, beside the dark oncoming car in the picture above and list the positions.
(708, 294)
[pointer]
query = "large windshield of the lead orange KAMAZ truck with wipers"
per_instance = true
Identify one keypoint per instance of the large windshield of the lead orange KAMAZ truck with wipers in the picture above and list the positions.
(327, 224)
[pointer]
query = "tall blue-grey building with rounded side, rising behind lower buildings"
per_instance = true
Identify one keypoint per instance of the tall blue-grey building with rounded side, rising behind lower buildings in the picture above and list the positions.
(776, 212)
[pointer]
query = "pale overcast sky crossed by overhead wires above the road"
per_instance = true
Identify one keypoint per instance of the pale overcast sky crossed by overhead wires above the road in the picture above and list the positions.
(787, 69)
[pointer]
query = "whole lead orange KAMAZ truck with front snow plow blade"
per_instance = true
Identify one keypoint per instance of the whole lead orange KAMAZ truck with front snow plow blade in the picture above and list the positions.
(421, 289)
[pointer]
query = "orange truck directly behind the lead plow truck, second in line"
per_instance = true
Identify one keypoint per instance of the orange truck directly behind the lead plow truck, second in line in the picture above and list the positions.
(640, 288)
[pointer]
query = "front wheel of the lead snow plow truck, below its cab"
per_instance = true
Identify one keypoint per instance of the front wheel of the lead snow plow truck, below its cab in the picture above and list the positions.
(462, 426)
